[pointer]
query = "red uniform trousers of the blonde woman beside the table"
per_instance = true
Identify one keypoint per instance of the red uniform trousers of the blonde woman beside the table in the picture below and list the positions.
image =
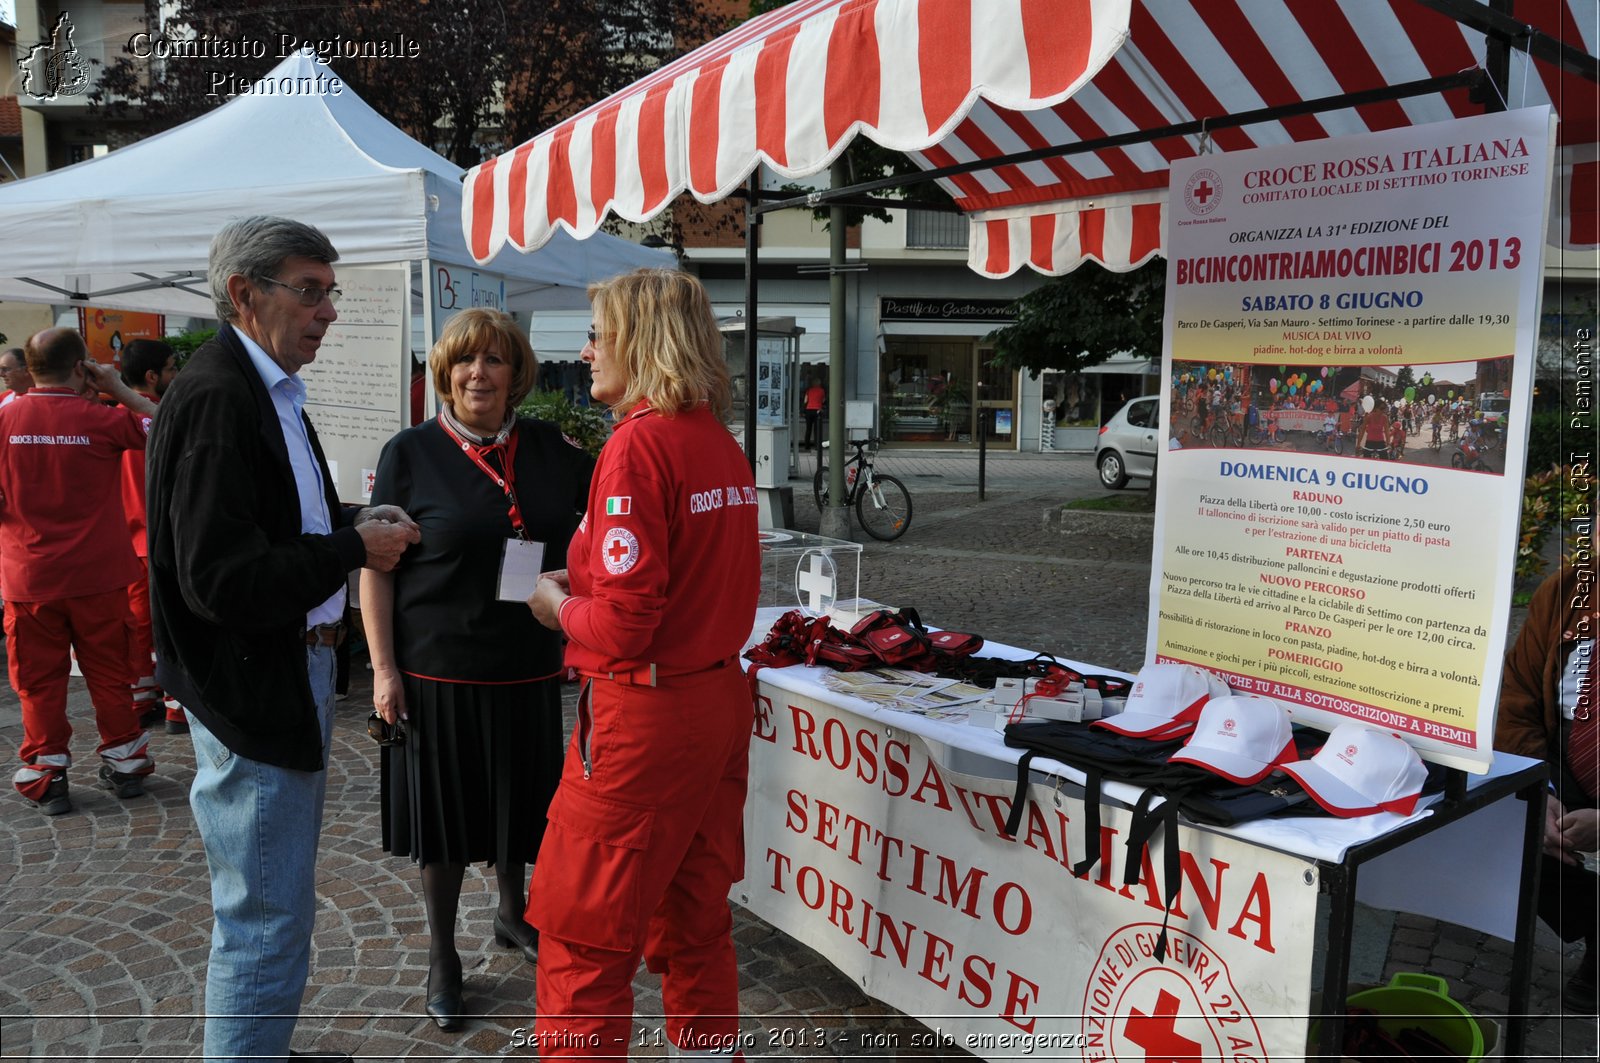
(639, 859)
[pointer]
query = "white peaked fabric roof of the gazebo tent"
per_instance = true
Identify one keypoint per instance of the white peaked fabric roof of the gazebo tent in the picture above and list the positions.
(130, 230)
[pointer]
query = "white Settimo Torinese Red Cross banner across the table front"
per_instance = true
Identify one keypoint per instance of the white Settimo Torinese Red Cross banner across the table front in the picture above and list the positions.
(900, 873)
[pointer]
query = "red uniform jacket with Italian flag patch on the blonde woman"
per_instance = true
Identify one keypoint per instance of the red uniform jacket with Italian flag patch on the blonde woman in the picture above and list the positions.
(666, 566)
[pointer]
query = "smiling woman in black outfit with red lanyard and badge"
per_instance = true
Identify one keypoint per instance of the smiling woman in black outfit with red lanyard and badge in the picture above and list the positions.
(473, 678)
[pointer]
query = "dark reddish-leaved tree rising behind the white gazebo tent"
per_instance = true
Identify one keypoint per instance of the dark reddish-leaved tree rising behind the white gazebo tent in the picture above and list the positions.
(489, 73)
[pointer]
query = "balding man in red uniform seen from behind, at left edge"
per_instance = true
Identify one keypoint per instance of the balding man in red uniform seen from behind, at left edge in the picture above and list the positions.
(66, 566)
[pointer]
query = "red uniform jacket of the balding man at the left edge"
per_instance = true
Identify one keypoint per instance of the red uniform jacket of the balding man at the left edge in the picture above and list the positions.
(62, 523)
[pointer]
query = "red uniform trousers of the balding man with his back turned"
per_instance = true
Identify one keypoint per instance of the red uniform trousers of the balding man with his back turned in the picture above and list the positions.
(39, 641)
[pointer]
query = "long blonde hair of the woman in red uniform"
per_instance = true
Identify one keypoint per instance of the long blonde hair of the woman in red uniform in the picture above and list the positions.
(660, 327)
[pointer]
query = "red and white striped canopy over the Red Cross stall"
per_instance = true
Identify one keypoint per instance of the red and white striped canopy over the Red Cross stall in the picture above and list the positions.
(958, 81)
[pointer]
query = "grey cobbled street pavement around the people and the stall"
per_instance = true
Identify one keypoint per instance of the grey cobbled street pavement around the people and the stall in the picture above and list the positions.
(105, 917)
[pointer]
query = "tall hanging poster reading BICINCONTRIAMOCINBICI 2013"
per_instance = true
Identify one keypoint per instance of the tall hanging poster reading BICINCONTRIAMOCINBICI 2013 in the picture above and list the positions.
(1386, 286)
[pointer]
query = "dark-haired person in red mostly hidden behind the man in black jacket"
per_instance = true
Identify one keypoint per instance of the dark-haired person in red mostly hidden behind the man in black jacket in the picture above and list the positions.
(148, 367)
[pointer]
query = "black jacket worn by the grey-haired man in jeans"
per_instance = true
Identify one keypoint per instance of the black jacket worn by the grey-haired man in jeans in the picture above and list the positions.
(231, 574)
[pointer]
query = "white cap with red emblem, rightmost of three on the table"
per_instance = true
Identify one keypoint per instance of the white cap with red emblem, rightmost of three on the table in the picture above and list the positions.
(1362, 771)
